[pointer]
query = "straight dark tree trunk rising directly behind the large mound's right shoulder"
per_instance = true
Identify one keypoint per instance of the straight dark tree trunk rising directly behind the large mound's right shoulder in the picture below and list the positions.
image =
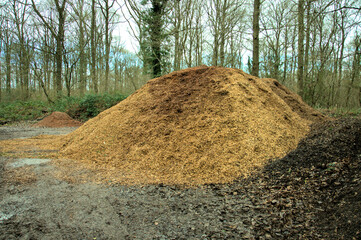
(255, 58)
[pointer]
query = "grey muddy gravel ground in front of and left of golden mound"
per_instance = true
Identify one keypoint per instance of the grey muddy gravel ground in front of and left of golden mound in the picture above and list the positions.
(42, 207)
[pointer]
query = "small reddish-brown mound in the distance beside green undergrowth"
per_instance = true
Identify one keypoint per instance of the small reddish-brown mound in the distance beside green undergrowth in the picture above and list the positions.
(58, 119)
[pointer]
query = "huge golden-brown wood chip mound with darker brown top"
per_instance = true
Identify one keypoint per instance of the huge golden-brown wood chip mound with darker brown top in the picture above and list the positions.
(194, 126)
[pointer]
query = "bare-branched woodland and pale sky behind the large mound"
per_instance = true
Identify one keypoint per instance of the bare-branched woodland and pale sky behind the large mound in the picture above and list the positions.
(53, 49)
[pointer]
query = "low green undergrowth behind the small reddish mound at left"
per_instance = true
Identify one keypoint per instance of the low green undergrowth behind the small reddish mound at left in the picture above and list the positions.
(80, 108)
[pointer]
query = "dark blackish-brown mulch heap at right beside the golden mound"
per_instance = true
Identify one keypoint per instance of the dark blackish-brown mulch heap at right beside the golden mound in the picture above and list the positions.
(315, 191)
